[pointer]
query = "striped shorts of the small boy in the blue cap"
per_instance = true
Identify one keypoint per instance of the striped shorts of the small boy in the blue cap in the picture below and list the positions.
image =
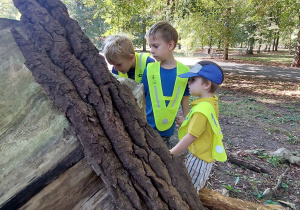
(199, 170)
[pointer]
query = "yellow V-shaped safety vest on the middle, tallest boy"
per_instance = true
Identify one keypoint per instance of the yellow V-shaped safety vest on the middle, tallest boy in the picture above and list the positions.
(164, 116)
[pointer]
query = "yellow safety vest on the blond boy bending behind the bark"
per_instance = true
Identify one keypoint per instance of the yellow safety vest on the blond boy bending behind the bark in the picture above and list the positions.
(140, 65)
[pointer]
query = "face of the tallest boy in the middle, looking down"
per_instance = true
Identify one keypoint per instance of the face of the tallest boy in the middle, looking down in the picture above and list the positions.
(159, 48)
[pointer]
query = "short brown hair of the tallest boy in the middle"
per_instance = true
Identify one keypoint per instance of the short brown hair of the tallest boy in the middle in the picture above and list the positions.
(164, 30)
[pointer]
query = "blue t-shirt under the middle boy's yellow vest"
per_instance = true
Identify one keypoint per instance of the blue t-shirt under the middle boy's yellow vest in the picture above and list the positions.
(168, 77)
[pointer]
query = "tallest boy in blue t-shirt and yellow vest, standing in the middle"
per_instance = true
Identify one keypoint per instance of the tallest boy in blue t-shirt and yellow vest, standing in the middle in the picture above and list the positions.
(164, 90)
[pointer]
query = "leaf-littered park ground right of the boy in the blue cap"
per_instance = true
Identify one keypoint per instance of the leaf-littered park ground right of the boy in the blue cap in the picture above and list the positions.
(259, 115)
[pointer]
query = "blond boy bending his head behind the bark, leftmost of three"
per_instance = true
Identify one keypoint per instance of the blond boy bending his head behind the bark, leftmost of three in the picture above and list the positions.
(119, 52)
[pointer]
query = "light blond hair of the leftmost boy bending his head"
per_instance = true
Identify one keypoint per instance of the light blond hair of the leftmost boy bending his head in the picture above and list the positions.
(116, 47)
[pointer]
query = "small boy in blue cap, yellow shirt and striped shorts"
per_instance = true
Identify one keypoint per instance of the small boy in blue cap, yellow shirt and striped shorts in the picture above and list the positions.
(201, 132)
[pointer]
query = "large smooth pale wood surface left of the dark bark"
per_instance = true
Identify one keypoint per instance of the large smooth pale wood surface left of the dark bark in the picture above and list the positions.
(37, 143)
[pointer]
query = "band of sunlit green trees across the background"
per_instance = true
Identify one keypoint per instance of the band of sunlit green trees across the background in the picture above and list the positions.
(200, 23)
